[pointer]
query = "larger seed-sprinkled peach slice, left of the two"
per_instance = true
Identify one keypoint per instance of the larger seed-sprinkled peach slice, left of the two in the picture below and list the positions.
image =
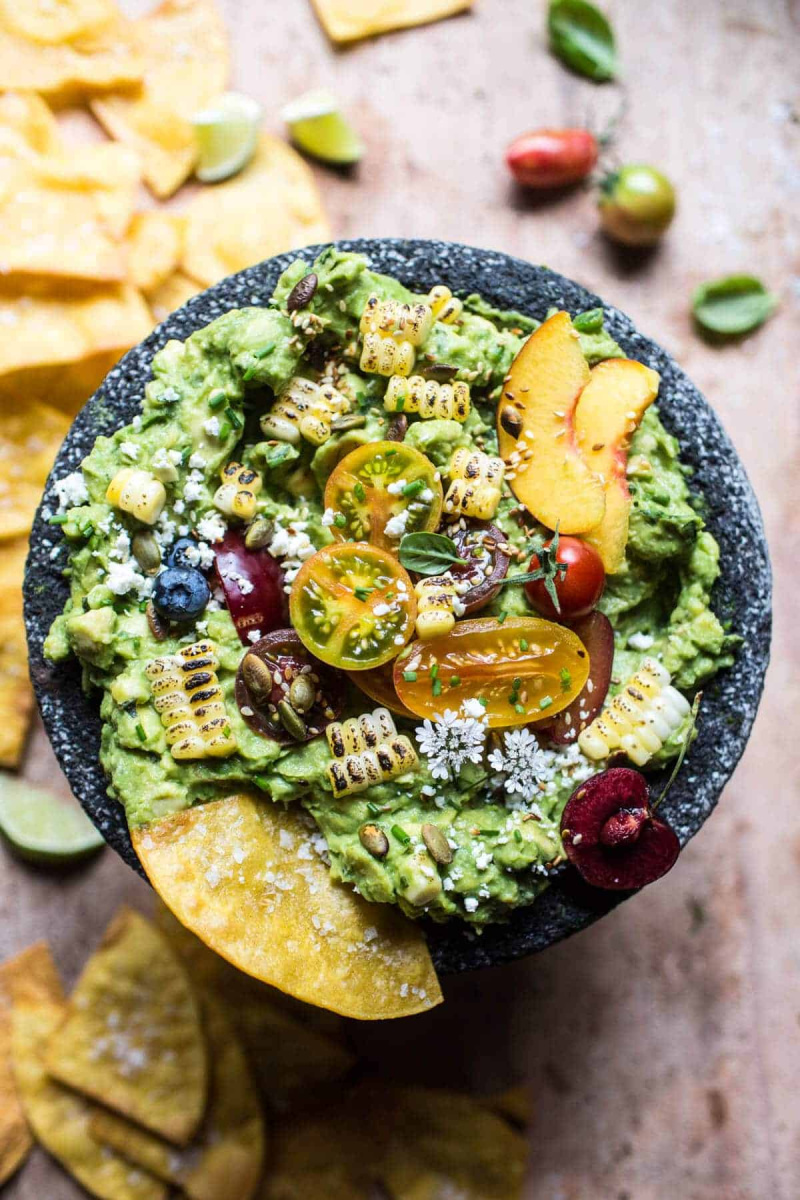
(537, 435)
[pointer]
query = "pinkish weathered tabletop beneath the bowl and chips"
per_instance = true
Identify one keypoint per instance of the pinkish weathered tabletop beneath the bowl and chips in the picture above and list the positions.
(661, 1046)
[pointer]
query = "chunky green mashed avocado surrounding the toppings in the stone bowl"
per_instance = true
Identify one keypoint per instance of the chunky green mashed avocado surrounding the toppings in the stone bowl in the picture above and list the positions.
(200, 412)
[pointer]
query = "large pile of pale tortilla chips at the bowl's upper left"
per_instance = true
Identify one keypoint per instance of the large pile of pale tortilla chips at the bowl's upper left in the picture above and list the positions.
(83, 275)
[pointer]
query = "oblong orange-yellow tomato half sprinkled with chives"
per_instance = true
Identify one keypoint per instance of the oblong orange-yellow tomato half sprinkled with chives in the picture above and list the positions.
(524, 669)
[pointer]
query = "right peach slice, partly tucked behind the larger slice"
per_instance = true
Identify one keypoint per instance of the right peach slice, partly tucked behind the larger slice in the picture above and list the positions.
(610, 411)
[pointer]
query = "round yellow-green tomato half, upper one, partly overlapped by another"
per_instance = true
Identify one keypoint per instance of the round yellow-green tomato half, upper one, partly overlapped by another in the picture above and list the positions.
(383, 491)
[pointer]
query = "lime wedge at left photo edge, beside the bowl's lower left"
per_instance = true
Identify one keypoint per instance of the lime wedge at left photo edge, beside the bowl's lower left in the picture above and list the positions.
(44, 827)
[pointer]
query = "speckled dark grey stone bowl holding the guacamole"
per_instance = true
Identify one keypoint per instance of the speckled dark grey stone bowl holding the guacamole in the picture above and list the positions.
(730, 706)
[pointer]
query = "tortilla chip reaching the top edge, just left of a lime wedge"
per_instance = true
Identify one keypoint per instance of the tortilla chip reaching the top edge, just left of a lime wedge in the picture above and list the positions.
(188, 63)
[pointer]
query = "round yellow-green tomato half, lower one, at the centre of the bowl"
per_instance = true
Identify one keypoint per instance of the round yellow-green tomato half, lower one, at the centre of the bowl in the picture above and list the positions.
(353, 607)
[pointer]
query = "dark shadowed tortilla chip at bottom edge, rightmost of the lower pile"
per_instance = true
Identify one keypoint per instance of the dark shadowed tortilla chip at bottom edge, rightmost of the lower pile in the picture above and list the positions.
(444, 1144)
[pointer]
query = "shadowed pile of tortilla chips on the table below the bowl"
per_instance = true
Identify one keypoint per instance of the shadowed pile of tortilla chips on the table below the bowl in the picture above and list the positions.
(166, 1072)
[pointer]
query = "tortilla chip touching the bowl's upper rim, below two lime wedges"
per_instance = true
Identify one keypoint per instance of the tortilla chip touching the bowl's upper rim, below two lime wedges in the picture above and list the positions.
(270, 207)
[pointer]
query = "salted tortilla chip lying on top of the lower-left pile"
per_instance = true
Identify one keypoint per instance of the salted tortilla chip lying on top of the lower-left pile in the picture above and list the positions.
(134, 1037)
